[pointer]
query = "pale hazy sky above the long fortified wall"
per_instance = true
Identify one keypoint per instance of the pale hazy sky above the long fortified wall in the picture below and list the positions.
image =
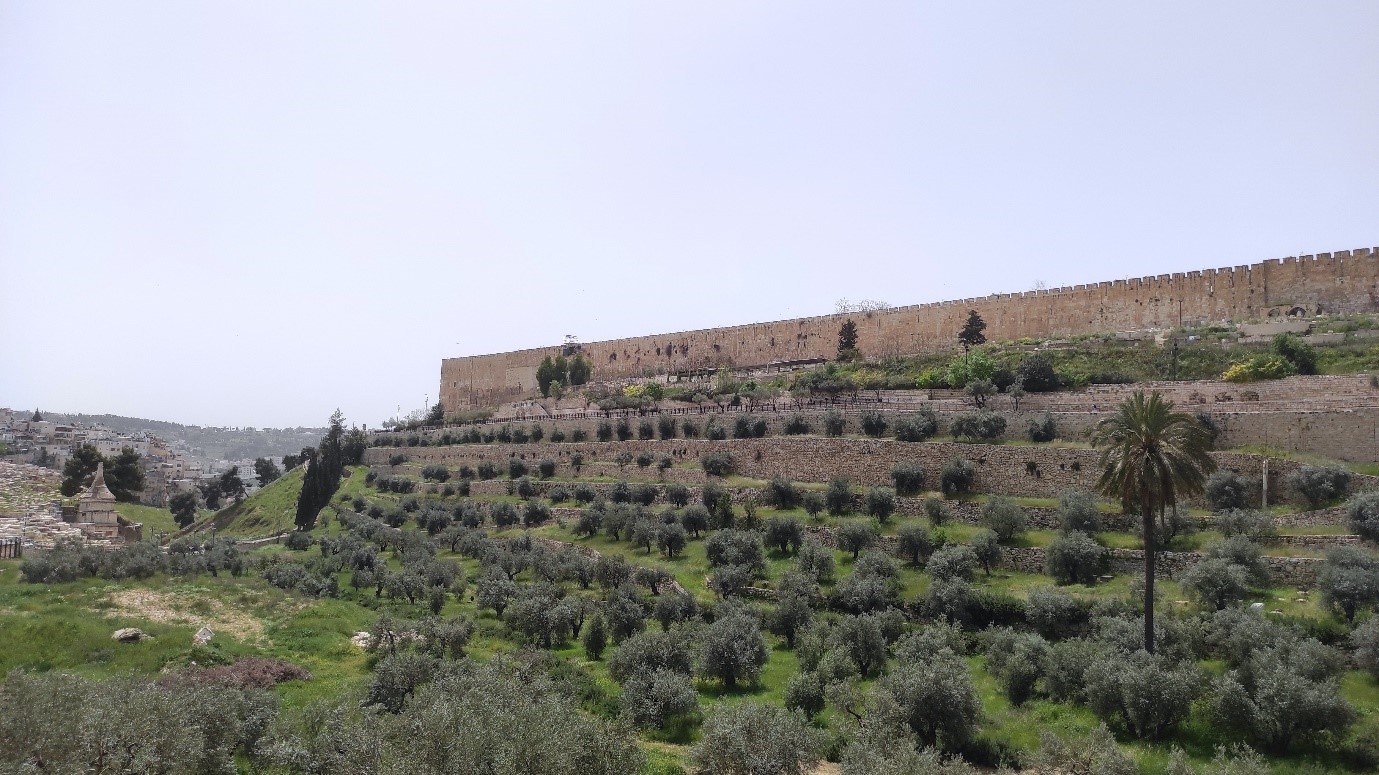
(256, 213)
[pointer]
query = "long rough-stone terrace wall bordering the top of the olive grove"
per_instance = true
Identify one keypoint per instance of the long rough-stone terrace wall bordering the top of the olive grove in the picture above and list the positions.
(865, 461)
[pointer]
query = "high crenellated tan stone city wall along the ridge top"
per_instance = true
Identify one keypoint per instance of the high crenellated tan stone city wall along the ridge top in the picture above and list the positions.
(1347, 282)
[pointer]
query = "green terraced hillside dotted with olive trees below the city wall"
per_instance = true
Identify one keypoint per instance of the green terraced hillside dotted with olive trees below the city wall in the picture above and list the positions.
(865, 603)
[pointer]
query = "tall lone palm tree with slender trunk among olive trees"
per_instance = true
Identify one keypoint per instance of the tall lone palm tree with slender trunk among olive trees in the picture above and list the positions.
(1152, 456)
